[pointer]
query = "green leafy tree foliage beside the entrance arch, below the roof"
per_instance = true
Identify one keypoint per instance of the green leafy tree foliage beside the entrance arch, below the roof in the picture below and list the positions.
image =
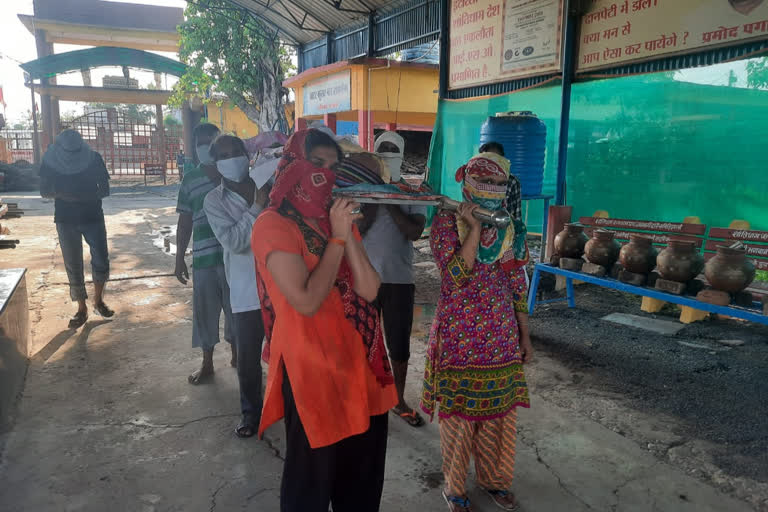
(230, 52)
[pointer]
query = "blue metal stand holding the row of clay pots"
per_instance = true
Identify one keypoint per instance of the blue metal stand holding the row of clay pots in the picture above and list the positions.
(753, 314)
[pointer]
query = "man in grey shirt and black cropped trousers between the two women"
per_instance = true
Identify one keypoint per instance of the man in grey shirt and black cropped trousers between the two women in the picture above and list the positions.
(388, 235)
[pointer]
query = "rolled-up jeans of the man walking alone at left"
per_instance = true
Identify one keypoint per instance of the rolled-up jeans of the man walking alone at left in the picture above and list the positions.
(71, 242)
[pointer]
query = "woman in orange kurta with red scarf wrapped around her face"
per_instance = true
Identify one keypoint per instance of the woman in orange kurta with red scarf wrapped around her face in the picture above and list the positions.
(329, 374)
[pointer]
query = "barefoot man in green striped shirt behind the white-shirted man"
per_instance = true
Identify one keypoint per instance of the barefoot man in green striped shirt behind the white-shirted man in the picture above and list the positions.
(209, 283)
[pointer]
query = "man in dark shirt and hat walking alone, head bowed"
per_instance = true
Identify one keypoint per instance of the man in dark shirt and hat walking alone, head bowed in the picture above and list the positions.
(76, 177)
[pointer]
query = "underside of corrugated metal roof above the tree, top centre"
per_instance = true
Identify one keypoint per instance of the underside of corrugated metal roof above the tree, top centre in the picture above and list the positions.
(303, 21)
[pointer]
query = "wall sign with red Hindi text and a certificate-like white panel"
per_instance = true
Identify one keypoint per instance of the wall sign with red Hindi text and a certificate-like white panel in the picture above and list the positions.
(498, 40)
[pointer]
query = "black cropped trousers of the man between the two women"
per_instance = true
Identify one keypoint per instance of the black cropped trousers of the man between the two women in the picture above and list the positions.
(395, 301)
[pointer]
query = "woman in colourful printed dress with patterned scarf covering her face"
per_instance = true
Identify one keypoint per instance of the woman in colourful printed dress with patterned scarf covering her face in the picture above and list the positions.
(479, 339)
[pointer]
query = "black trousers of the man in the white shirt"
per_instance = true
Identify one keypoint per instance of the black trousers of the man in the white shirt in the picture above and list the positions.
(249, 336)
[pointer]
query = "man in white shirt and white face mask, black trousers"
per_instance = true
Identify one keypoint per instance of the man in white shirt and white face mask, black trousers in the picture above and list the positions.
(232, 208)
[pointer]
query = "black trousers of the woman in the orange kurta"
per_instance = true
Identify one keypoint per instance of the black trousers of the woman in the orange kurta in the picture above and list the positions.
(348, 475)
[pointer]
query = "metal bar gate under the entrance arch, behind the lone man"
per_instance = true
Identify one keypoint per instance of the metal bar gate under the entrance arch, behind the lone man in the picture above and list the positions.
(127, 144)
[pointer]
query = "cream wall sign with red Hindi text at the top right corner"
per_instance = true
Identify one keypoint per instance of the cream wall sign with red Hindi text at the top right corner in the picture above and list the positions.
(615, 32)
